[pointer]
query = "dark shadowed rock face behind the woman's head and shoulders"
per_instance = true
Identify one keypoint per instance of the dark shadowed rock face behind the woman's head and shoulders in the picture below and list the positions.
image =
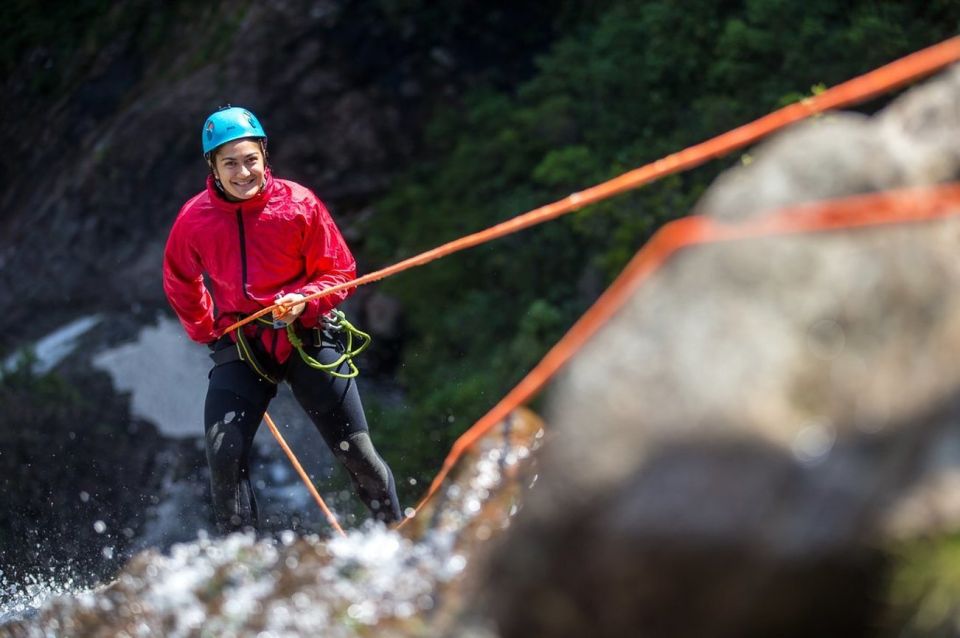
(97, 166)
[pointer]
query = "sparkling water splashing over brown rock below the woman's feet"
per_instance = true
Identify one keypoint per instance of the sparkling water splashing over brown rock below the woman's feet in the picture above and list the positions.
(373, 582)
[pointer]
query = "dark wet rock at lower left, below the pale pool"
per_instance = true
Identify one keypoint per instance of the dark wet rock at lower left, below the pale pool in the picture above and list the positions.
(83, 482)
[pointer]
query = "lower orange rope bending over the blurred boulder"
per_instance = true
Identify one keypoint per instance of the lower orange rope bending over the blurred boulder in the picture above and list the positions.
(904, 206)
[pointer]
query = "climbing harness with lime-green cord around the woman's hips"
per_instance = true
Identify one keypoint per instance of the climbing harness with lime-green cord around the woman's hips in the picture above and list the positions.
(334, 322)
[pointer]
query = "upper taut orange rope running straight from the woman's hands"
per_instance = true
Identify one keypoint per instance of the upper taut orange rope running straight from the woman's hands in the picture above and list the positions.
(853, 91)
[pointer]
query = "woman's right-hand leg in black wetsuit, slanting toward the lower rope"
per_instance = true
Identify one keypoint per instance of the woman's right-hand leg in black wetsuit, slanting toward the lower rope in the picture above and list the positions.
(334, 406)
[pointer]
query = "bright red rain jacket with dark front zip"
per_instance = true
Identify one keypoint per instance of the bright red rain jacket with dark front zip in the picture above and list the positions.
(280, 241)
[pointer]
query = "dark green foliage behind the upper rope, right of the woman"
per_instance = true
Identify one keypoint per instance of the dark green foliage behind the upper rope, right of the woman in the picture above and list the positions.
(637, 82)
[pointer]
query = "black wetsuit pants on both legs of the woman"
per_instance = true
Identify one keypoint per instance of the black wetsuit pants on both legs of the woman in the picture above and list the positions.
(236, 400)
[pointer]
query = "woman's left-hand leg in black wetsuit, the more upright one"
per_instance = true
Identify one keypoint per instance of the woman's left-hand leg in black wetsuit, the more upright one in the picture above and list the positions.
(236, 401)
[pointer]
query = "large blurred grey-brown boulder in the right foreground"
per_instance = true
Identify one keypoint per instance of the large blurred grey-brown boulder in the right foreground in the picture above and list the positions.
(727, 456)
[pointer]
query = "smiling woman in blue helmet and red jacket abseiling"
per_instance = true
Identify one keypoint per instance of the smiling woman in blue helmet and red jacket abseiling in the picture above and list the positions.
(260, 240)
